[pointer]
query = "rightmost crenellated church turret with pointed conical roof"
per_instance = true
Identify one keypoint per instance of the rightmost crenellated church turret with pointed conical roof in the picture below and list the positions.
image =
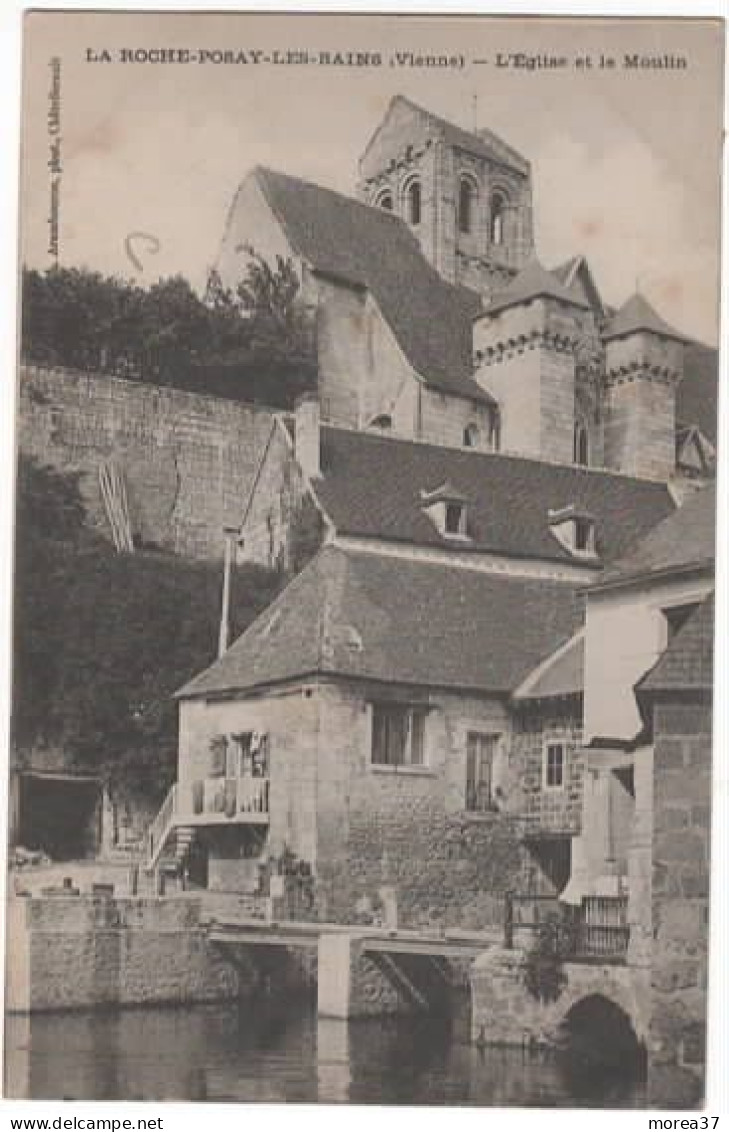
(645, 363)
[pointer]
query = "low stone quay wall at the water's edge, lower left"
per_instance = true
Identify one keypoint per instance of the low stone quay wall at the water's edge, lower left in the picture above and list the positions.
(82, 953)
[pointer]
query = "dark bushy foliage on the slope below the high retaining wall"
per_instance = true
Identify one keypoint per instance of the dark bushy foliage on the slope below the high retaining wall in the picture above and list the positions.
(102, 640)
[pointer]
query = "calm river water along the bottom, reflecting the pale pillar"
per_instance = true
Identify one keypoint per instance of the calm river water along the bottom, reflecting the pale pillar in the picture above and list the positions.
(273, 1052)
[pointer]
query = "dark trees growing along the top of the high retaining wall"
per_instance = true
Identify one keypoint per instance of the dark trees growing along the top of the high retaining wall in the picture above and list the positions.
(253, 342)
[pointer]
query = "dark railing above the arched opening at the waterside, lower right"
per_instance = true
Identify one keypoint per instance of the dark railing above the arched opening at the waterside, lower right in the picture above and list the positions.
(595, 931)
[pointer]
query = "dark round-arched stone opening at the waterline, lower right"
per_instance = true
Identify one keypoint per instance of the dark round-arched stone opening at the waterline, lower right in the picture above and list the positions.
(599, 1050)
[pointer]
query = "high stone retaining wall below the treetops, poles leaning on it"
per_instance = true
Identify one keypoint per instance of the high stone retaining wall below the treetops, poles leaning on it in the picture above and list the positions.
(187, 460)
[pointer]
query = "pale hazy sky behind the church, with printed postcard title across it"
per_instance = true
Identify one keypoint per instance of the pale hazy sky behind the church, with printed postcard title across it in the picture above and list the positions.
(625, 162)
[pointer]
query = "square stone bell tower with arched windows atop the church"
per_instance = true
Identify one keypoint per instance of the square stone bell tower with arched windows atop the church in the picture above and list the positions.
(467, 196)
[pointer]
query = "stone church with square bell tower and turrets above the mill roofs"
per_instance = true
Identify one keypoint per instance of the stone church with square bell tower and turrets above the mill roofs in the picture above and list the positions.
(435, 320)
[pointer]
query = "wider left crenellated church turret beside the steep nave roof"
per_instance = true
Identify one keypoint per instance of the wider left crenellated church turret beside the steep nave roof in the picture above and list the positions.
(525, 348)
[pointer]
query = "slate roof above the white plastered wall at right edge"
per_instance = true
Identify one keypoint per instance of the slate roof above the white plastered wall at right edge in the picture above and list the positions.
(683, 541)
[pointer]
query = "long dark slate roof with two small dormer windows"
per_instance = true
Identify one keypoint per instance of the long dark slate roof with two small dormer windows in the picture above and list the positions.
(372, 486)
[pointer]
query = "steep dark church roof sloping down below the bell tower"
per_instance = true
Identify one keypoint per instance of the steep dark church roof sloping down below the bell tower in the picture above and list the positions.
(372, 248)
